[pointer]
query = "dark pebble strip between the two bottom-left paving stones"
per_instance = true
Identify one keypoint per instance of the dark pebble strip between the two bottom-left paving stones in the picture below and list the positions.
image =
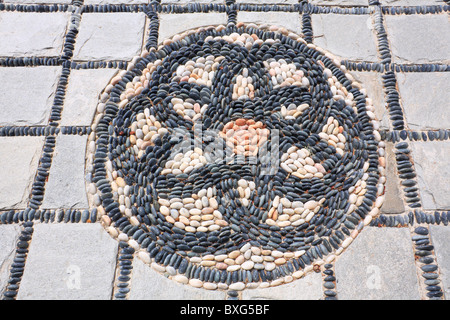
(17, 268)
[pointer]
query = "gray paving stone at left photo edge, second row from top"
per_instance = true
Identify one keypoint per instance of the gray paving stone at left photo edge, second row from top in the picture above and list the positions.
(32, 108)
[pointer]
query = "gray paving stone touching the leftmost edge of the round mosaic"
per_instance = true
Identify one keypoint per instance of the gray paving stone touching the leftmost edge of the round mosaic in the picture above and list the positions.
(66, 184)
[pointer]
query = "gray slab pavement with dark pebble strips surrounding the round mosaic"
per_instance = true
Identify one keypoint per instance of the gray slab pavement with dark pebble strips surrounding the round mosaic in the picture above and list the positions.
(57, 57)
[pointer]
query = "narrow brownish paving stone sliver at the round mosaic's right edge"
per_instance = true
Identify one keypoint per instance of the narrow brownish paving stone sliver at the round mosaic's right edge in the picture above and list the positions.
(393, 203)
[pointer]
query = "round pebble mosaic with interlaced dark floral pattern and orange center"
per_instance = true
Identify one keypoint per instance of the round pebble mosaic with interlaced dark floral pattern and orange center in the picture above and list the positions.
(236, 157)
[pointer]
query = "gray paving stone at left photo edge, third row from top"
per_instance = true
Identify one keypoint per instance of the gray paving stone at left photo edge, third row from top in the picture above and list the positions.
(19, 159)
